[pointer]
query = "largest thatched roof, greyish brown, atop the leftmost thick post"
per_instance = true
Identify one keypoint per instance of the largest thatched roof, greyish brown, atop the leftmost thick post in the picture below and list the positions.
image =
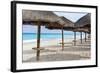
(45, 17)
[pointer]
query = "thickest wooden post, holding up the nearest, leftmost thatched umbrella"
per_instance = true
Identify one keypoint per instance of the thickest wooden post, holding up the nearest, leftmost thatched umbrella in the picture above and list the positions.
(38, 41)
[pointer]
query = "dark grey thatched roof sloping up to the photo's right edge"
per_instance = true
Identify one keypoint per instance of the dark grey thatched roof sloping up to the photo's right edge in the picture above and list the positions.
(85, 21)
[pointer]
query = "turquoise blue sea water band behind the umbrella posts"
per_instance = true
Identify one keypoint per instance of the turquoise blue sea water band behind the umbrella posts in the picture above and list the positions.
(31, 36)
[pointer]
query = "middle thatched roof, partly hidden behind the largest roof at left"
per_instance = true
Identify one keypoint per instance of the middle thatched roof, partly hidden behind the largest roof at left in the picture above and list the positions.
(69, 25)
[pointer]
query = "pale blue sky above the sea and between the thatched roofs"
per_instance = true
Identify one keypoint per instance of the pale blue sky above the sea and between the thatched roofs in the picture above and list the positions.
(69, 15)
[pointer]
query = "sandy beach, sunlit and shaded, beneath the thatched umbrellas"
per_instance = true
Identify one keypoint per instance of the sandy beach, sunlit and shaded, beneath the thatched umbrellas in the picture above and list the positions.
(53, 50)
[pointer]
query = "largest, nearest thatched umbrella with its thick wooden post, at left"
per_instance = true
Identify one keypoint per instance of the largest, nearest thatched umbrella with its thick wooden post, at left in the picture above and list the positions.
(45, 18)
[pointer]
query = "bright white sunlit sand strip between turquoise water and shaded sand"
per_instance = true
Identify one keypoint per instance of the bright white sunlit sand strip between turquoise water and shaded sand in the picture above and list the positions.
(44, 43)
